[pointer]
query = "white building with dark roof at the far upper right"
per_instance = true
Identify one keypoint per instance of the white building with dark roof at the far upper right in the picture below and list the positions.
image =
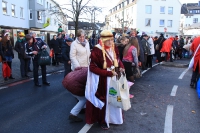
(190, 19)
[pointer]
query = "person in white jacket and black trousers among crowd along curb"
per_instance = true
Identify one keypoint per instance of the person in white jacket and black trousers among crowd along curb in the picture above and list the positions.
(152, 52)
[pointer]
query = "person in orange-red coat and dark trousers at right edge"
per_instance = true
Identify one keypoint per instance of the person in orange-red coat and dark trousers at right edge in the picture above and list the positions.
(196, 67)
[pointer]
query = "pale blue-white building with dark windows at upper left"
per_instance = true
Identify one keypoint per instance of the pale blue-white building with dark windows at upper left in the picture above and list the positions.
(41, 16)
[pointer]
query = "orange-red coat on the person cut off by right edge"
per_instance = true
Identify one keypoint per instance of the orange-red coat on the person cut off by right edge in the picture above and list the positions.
(194, 46)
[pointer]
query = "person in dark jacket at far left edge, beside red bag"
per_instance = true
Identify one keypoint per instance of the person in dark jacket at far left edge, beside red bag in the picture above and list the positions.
(7, 53)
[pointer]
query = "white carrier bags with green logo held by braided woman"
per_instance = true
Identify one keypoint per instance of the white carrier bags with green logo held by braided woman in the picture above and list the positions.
(119, 93)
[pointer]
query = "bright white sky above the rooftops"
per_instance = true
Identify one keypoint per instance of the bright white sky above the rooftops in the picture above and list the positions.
(108, 4)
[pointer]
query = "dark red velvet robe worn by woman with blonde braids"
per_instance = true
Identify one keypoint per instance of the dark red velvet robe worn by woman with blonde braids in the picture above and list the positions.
(94, 114)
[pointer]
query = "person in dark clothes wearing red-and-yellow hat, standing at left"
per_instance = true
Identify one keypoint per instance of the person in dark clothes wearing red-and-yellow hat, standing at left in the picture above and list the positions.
(20, 48)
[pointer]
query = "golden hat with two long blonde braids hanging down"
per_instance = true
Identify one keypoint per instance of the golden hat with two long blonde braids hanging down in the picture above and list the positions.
(107, 35)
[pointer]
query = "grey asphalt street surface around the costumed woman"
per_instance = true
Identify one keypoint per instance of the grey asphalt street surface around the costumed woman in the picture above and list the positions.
(25, 108)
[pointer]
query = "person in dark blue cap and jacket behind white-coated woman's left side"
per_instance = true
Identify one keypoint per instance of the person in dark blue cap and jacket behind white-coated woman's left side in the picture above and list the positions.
(65, 55)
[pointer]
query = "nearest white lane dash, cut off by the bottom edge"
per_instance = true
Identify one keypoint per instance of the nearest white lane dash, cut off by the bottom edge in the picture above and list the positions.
(168, 119)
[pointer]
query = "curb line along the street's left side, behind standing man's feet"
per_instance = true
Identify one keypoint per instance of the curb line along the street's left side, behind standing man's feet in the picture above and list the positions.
(21, 79)
